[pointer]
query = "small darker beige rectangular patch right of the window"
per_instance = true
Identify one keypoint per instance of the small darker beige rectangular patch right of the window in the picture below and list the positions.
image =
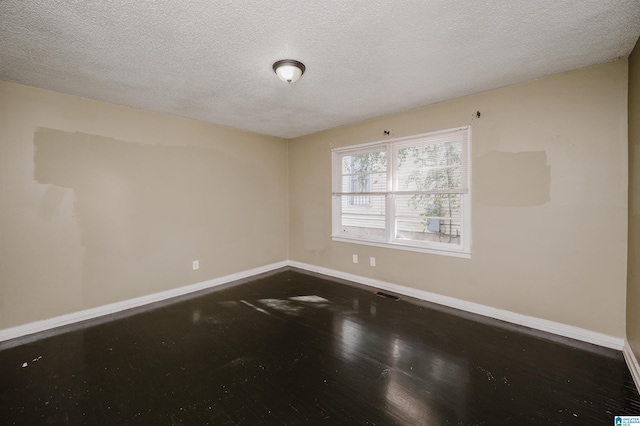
(512, 179)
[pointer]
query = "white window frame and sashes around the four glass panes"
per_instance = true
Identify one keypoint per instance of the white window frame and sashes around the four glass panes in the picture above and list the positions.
(462, 250)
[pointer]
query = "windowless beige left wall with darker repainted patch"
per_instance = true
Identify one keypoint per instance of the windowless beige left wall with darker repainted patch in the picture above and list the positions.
(101, 203)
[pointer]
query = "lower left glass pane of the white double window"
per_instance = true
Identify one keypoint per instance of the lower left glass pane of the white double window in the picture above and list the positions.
(363, 219)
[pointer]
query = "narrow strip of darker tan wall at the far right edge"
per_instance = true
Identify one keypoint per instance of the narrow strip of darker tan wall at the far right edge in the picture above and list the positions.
(633, 284)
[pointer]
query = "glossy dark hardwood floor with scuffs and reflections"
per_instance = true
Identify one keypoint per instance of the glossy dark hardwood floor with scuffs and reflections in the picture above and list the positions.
(292, 348)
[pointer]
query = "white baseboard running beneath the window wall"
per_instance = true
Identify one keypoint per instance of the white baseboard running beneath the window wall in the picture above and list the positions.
(508, 316)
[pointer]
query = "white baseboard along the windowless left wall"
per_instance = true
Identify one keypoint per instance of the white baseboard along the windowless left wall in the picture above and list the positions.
(87, 314)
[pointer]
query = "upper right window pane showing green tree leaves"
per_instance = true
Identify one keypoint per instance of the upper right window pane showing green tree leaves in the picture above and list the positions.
(429, 167)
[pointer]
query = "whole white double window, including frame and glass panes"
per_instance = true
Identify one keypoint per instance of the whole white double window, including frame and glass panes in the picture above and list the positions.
(410, 193)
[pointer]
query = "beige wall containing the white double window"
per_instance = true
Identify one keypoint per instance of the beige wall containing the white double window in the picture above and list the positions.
(557, 250)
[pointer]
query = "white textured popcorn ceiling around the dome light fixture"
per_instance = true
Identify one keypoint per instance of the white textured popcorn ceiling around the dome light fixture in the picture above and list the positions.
(211, 60)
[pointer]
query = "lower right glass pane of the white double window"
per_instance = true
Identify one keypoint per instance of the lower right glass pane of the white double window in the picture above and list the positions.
(426, 218)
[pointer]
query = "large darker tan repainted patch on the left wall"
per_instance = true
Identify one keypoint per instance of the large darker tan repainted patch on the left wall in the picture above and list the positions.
(146, 211)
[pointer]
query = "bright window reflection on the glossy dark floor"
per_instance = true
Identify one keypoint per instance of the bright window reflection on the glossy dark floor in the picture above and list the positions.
(421, 384)
